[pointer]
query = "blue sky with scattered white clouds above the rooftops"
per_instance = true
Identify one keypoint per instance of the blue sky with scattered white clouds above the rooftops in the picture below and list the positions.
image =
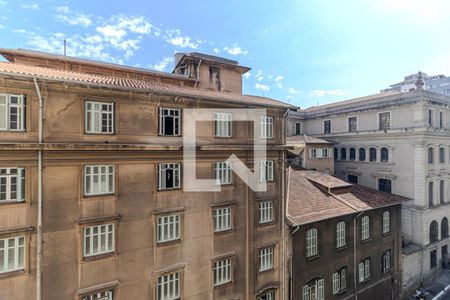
(302, 52)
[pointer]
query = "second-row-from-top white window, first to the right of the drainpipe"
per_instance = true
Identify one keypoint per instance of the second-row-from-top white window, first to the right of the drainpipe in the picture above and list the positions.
(98, 180)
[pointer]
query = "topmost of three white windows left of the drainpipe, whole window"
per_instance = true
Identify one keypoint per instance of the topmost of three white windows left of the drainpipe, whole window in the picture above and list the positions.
(12, 112)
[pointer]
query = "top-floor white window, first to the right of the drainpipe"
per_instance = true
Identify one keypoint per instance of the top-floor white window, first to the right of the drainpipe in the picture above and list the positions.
(99, 117)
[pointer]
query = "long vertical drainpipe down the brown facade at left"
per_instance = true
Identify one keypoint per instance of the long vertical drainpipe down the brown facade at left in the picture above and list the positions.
(39, 215)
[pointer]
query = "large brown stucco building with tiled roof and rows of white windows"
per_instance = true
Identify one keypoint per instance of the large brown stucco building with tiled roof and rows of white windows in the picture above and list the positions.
(92, 205)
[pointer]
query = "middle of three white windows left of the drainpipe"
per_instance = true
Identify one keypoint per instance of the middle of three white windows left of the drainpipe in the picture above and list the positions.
(12, 184)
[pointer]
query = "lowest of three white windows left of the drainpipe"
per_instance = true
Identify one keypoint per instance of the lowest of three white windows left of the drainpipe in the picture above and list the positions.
(12, 254)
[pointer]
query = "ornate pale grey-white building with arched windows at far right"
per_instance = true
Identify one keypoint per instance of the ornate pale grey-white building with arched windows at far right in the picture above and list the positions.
(398, 143)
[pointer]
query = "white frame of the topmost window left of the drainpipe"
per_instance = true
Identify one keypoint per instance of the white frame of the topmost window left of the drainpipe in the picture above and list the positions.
(6, 108)
